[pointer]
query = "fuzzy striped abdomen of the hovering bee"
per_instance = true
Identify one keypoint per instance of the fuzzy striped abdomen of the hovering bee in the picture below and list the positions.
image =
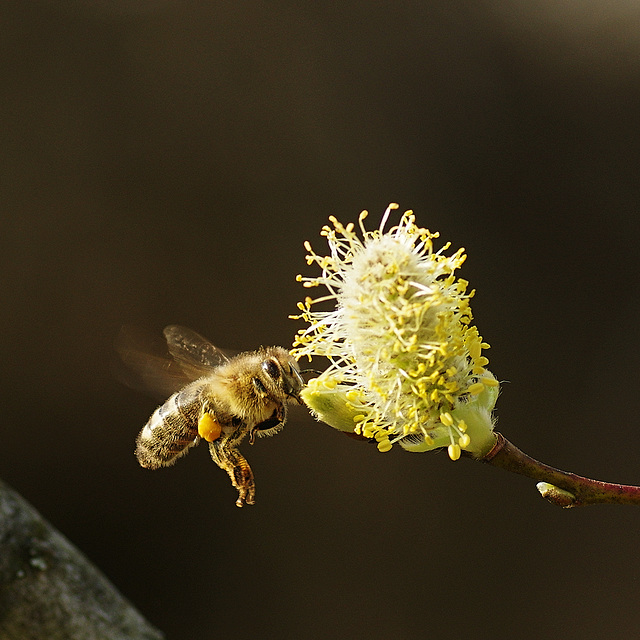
(172, 429)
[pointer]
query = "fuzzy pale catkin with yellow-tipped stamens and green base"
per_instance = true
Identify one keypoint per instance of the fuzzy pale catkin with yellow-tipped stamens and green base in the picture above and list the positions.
(406, 364)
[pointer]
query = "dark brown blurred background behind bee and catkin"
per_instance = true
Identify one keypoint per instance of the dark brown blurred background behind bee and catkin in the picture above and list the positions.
(163, 162)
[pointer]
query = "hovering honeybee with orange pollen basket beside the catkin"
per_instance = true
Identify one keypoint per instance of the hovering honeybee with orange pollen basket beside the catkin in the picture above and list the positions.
(224, 400)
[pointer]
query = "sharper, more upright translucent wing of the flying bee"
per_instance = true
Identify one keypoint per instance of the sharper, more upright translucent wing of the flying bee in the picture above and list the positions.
(195, 354)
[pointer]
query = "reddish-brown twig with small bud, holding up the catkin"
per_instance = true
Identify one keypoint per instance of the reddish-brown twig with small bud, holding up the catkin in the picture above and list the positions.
(559, 487)
